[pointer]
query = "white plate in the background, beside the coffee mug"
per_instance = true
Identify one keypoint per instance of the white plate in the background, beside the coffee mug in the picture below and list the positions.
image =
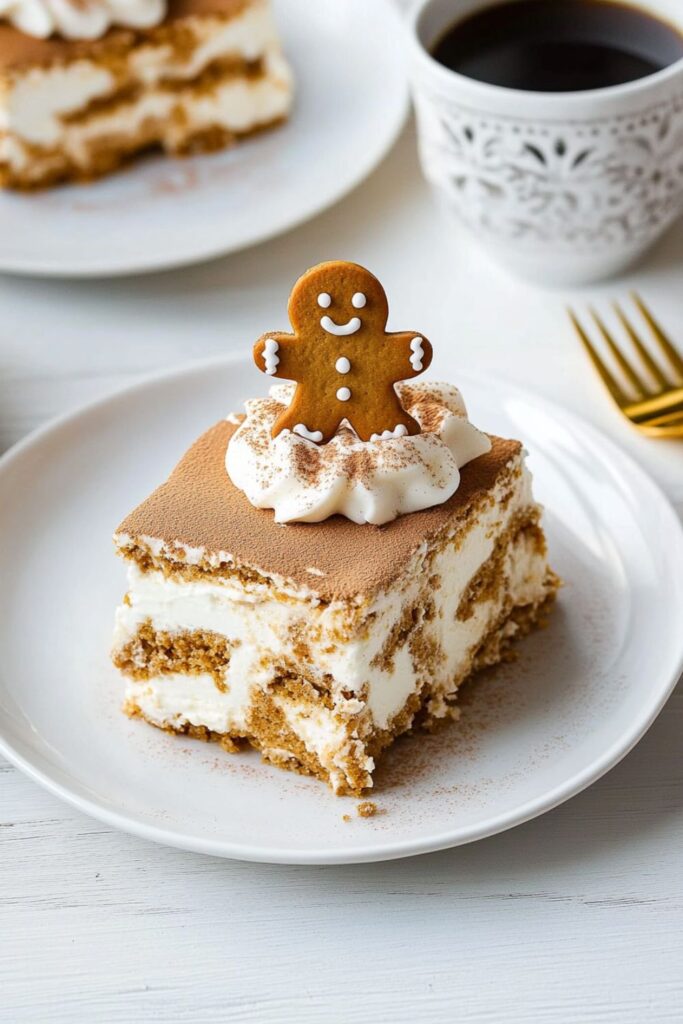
(161, 212)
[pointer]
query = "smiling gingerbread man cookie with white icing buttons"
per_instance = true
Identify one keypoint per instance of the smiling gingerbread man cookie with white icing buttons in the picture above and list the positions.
(341, 357)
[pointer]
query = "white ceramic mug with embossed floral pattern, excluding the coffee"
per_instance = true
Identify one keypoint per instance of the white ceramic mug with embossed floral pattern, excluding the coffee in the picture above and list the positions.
(562, 188)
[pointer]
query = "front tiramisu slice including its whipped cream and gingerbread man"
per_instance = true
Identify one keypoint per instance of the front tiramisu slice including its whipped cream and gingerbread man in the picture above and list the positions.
(317, 601)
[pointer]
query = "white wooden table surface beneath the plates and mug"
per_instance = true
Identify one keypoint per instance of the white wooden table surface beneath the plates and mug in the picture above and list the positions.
(577, 917)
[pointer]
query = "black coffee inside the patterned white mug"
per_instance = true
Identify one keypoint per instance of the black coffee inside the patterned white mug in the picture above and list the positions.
(560, 46)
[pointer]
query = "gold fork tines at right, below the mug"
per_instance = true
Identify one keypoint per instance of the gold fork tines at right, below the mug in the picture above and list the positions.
(657, 408)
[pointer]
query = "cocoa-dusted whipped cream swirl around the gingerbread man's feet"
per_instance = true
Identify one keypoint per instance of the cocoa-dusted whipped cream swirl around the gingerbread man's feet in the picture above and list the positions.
(367, 482)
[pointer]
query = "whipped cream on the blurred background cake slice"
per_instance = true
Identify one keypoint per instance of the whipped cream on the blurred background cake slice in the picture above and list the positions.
(80, 19)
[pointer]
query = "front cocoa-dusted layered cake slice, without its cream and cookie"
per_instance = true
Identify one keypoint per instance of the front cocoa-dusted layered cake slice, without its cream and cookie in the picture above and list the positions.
(321, 644)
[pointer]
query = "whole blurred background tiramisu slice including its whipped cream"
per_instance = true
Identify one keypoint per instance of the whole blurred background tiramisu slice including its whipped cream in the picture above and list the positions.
(117, 77)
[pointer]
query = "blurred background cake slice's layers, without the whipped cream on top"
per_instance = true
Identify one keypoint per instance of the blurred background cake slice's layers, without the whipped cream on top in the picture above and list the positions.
(201, 83)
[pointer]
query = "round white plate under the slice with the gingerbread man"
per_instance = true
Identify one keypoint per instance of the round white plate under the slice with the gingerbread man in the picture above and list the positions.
(533, 735)
